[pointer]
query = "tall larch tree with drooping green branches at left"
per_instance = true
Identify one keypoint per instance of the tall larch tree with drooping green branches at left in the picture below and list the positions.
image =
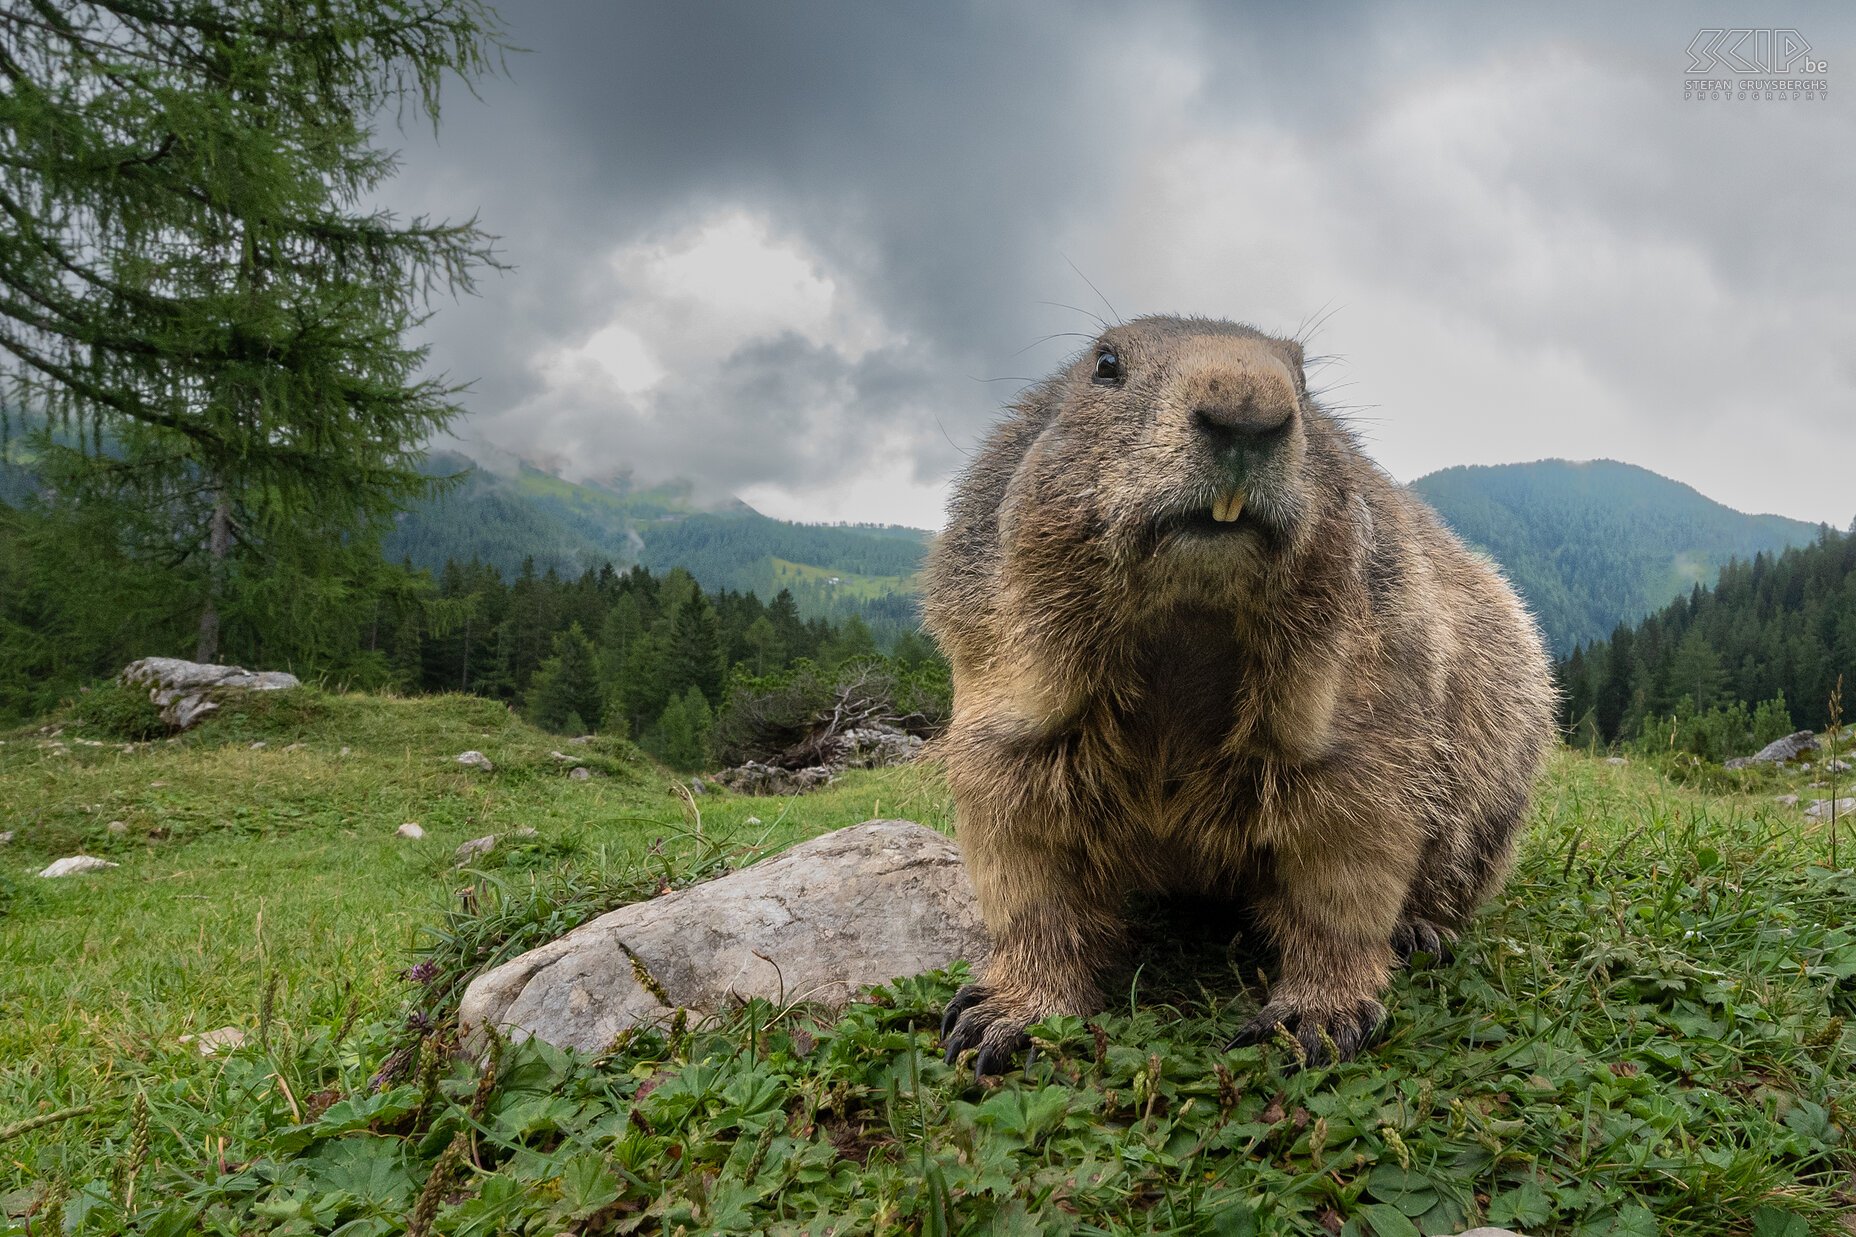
(203, 309)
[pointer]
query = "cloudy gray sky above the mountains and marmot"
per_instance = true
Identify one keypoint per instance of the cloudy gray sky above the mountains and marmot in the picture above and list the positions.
(803, 254)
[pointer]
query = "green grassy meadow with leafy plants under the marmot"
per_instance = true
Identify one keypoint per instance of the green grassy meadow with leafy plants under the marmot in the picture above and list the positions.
(1645, 1034)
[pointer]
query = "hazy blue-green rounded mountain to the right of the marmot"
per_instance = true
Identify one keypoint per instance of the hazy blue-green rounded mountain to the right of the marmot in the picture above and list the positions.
(1599, 543)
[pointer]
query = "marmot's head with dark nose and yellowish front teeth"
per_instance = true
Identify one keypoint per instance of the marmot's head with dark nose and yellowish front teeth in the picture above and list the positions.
(1181, 443)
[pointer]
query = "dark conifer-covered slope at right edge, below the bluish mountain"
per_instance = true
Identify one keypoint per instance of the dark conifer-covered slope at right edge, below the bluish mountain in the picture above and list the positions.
(1775, 629)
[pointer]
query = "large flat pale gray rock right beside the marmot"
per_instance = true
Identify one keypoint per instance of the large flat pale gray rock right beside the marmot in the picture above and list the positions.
(816, 924)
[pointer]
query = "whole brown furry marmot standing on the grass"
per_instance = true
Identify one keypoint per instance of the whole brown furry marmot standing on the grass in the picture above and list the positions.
(1204, 645)
